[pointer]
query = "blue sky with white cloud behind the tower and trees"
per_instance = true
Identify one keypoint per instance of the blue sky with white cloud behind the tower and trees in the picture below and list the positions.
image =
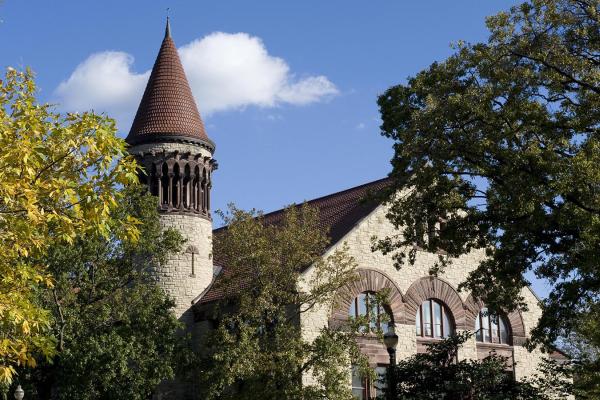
(324, 63)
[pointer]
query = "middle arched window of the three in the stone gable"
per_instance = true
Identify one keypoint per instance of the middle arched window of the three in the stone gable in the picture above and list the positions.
(434, 320)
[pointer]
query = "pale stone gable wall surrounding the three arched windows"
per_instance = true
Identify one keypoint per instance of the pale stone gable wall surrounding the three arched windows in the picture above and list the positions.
(359, 244)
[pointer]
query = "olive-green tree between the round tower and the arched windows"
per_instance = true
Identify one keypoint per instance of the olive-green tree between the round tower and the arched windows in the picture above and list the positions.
(257, 350)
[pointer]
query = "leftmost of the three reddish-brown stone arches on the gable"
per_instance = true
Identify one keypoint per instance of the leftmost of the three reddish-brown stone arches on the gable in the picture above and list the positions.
(369, 280)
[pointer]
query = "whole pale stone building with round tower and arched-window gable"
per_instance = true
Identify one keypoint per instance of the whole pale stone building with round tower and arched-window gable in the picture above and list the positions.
(169, 139)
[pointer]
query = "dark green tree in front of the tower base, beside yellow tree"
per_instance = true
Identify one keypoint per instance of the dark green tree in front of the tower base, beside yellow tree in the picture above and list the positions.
(117, 336)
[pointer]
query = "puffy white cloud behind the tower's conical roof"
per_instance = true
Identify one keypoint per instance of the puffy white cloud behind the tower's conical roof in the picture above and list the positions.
(225, 71)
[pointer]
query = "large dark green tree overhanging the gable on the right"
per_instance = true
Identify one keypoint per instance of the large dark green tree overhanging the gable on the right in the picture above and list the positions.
(498, 148)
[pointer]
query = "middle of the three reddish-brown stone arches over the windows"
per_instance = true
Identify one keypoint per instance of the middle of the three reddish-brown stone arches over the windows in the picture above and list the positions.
(430, 287)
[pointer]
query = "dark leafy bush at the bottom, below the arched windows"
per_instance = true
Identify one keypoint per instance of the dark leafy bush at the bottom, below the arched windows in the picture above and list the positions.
(437, 375)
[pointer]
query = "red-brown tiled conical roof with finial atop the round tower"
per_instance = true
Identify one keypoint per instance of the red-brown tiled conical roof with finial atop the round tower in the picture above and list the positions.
(168, 111)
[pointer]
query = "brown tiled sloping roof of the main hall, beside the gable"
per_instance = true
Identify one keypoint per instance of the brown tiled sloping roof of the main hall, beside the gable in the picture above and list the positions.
(338, 214)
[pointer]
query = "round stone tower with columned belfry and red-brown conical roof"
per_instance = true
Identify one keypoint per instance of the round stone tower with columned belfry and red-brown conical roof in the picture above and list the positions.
(169, 140)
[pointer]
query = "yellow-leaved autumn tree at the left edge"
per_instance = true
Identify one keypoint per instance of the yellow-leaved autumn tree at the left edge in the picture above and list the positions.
(59, 179)
